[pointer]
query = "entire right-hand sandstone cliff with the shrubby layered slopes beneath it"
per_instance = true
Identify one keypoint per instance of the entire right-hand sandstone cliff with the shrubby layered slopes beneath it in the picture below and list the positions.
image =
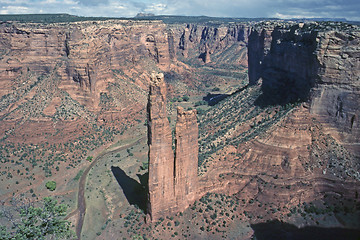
(291, 136)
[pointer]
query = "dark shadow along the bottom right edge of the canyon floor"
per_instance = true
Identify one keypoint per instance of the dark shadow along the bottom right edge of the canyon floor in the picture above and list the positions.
(284, 231)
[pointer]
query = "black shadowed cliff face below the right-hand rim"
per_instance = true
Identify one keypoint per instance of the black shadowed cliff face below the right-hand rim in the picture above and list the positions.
(284, 58)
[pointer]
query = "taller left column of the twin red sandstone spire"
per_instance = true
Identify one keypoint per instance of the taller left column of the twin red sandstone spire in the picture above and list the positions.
(161, 156)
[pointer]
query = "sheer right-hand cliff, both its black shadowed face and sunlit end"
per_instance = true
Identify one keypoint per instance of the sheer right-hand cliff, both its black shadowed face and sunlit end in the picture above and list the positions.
(315, 64)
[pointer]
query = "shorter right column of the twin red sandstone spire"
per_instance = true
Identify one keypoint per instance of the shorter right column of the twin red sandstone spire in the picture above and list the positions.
(186, 158)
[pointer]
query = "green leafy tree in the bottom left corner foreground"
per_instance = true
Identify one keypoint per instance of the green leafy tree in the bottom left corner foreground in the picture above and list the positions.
(29, 222)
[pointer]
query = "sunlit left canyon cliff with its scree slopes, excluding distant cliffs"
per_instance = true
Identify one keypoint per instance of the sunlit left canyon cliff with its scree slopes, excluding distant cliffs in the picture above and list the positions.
(66, 68)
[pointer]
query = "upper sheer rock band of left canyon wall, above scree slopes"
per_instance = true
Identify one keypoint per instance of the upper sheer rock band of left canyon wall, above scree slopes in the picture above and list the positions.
(83, 56)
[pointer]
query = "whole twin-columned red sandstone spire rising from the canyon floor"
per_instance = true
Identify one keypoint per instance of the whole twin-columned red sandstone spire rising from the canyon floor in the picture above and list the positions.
(172, 181)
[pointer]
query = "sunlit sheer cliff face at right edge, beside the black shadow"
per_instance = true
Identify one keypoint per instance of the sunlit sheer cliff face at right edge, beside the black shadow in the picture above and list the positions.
(336, 98)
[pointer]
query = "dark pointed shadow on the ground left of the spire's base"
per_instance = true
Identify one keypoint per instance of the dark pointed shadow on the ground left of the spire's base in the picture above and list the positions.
(135, 192)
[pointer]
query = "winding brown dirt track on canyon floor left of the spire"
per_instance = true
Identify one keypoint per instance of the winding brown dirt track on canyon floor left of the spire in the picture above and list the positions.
(81, 208)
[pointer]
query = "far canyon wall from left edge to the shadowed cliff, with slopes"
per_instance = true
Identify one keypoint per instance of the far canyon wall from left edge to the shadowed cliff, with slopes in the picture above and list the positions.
(98, 71)
